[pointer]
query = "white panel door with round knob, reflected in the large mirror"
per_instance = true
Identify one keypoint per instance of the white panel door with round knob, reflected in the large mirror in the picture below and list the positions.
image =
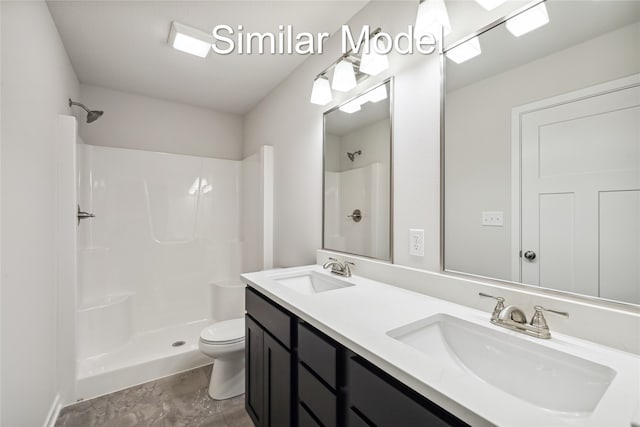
(580, 180)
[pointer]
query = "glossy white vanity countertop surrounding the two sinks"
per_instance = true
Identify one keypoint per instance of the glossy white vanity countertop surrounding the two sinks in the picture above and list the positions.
(359, 317)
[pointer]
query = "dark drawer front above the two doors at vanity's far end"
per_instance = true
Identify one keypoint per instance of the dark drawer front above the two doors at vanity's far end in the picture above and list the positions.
(271, 317)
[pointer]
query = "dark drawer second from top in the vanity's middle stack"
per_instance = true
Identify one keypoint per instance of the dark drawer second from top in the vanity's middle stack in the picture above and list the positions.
(317, 397)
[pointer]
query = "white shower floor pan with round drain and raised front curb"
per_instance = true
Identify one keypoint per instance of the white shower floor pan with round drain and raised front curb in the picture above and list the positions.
(143, 358)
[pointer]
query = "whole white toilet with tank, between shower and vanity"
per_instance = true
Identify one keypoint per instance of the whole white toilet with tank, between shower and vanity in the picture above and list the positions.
(224, 340)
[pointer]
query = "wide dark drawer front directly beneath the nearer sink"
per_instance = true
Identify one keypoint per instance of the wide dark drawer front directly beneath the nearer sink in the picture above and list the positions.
(385, 402)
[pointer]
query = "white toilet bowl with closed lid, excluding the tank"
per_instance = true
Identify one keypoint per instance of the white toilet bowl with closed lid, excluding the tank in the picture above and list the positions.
(224, 342)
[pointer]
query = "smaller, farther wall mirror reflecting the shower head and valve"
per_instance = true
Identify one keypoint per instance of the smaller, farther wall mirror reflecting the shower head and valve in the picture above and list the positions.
(357, 175)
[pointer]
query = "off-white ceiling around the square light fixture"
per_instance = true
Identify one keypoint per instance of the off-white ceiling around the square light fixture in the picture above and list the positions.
(122, 45)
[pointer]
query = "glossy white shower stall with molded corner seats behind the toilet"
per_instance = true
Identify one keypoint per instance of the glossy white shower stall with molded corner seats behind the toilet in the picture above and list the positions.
(166, 227)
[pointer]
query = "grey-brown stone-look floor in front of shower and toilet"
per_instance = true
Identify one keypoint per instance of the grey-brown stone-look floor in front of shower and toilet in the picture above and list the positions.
(176, 401)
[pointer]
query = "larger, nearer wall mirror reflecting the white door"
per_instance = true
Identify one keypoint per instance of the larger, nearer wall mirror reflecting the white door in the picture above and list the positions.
(542, 150)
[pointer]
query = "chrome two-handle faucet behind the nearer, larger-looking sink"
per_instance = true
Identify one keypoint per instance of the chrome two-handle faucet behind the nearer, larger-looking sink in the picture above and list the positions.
(513, 318)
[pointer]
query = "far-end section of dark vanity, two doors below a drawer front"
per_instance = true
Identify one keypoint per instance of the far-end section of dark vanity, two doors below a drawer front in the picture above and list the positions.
(269, 362)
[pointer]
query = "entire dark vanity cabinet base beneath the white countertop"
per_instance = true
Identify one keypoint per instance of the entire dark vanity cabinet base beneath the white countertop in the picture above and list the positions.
(298, 376)
